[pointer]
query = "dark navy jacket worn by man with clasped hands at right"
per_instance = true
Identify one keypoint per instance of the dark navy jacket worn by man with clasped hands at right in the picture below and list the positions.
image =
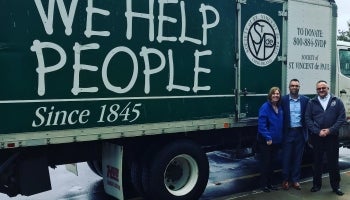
(333, 117)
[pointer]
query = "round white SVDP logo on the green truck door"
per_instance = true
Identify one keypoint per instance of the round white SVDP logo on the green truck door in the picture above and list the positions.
(261, 40)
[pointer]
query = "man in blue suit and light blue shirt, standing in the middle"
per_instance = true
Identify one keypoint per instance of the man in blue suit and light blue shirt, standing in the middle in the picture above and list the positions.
(295, 135)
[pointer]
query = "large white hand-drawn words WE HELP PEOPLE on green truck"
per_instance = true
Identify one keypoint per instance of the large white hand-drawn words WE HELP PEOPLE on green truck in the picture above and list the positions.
(47, 20)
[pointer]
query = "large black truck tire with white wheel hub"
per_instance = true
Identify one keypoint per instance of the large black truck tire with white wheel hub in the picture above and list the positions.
(178, 171)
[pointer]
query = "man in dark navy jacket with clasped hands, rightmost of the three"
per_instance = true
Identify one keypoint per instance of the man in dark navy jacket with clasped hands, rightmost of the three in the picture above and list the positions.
(324, 116)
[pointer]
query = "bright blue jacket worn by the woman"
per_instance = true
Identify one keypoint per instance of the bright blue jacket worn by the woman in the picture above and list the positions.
(270, 124)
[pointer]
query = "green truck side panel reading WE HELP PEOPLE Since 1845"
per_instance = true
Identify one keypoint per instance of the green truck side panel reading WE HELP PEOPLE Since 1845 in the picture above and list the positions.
(80, 64)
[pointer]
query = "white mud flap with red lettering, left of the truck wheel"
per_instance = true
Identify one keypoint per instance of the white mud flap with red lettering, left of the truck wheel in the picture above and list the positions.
(112, 156)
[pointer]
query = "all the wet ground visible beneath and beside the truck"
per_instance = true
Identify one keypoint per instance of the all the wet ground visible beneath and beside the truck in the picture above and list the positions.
(230, 178)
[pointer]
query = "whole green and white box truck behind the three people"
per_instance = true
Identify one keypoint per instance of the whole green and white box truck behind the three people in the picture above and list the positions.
(142, 89)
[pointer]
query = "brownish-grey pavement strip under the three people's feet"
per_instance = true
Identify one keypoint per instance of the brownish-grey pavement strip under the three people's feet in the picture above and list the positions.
(292, 194)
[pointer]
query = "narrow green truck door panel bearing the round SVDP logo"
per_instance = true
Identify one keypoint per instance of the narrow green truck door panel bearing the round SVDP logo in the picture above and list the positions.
(260, 42)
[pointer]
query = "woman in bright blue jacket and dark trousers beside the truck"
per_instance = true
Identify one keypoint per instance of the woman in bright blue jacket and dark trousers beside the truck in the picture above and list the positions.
(270, 127)
